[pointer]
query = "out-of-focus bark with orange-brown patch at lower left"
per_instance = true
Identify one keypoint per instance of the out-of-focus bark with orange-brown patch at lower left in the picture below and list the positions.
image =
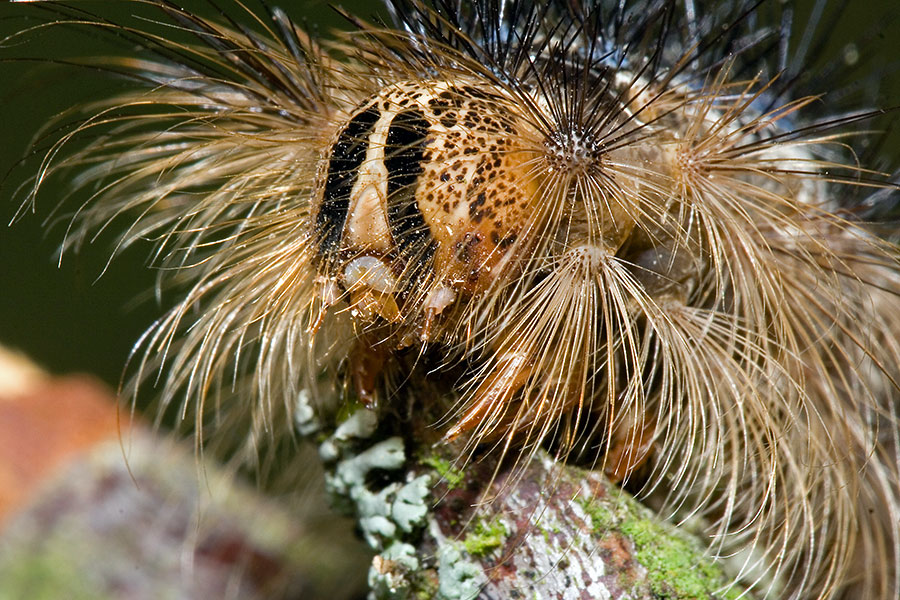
(94, 508)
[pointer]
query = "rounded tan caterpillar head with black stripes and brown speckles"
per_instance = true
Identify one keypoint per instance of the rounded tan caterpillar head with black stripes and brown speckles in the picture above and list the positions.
(426, 186)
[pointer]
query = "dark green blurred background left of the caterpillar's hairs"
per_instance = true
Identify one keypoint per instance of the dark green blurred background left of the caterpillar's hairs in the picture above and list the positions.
(65, 315)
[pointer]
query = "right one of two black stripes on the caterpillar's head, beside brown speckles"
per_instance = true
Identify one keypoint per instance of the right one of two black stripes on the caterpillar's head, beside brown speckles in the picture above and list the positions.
(403, 160)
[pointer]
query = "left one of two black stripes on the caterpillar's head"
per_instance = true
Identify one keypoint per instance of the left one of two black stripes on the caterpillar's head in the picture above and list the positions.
(347, 156)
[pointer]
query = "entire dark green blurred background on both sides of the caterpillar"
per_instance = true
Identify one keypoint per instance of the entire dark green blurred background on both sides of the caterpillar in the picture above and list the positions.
(67, 317)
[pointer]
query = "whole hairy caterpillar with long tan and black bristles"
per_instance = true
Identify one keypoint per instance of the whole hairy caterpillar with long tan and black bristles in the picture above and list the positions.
(619, 230)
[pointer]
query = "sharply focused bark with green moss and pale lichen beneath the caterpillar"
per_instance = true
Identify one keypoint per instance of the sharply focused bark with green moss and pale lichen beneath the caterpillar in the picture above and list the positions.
(496, 530)
